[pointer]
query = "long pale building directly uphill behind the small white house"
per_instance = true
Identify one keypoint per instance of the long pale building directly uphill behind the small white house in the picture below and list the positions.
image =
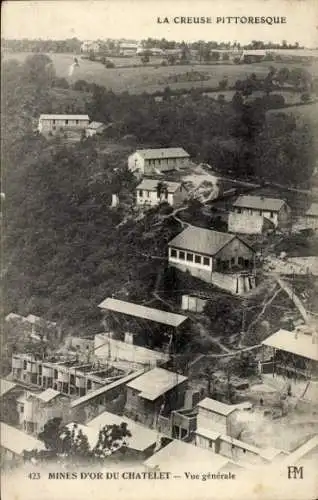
(157, 161)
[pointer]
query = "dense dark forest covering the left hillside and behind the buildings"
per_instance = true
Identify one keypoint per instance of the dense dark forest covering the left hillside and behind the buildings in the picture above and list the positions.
(65, 249)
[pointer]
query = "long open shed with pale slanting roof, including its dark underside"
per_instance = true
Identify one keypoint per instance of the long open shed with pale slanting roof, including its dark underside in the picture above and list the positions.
(142, 326)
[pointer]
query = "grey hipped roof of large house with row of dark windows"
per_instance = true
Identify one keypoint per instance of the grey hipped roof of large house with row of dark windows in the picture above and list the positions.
(201, 240)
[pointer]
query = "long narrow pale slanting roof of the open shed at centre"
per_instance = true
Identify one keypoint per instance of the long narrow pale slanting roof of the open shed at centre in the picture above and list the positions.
(156, 315)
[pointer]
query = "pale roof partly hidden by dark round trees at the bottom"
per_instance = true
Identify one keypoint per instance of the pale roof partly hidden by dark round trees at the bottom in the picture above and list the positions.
(141, 437)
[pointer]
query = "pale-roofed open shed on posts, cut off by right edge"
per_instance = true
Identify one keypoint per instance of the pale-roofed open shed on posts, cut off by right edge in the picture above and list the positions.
(294, 354)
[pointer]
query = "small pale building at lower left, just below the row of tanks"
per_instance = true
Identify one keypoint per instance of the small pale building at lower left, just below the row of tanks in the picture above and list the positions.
(35, 409)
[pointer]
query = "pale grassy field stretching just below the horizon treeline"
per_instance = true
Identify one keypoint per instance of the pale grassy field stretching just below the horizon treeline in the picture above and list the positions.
(148, 78)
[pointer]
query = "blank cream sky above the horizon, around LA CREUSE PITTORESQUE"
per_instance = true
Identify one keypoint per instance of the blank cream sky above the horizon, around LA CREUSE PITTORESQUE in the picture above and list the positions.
(137, 19)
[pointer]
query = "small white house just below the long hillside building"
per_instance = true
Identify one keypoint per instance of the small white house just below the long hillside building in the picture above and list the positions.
(152, 192)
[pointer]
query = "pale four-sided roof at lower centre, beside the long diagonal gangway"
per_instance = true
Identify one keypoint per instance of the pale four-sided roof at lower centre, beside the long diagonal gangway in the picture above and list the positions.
(156, 382)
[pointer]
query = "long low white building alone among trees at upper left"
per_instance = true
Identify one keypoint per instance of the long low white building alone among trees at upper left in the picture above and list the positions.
(53, 122)
